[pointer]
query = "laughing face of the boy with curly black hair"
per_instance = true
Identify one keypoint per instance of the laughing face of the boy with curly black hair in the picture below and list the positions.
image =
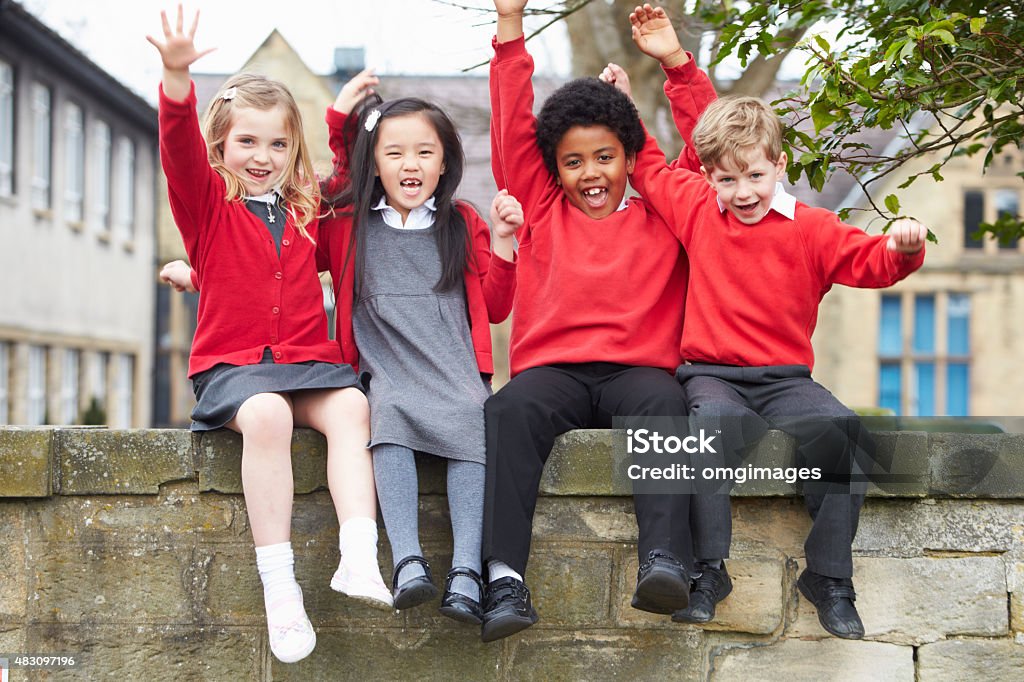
(592, 169)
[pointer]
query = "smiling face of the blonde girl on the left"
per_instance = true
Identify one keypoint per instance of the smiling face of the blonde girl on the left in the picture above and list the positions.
(257, 148)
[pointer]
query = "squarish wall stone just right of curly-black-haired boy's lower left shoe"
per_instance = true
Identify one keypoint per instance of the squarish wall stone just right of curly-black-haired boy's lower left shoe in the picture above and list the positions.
(571, 585)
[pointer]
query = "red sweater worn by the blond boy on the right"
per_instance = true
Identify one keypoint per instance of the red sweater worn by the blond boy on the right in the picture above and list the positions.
(755, 290)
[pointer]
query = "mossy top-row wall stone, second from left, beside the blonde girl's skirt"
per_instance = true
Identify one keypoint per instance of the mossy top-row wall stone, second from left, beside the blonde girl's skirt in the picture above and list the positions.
(102, 462)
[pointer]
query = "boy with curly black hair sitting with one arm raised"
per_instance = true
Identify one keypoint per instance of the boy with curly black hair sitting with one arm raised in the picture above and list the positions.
(598, 316)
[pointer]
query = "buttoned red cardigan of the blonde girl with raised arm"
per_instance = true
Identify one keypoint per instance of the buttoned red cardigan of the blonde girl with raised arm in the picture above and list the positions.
(252, 300)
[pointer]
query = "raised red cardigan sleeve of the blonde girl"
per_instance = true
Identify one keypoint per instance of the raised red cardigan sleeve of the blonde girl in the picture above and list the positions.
(194, 189)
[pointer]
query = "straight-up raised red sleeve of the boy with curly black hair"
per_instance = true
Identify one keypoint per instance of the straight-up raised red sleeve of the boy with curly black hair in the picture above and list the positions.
(516, 159)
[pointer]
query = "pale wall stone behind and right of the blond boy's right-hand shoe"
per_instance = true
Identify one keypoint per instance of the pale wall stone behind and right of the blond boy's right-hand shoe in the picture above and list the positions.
(919, 601)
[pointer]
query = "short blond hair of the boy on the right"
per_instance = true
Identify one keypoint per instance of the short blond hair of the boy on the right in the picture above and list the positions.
(732, 125)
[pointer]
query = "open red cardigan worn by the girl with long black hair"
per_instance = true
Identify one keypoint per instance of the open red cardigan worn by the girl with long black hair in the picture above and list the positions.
(490, 283)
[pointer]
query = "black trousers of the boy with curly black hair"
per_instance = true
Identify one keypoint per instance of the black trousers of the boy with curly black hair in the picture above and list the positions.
(528, 414)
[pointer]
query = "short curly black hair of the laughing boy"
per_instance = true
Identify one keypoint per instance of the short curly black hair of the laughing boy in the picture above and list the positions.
(587, 102)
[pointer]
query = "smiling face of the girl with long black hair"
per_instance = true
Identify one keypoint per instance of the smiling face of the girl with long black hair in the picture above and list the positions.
(410, 161)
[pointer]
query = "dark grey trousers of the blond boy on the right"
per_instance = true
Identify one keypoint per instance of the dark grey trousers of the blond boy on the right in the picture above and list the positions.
(743, 404)
